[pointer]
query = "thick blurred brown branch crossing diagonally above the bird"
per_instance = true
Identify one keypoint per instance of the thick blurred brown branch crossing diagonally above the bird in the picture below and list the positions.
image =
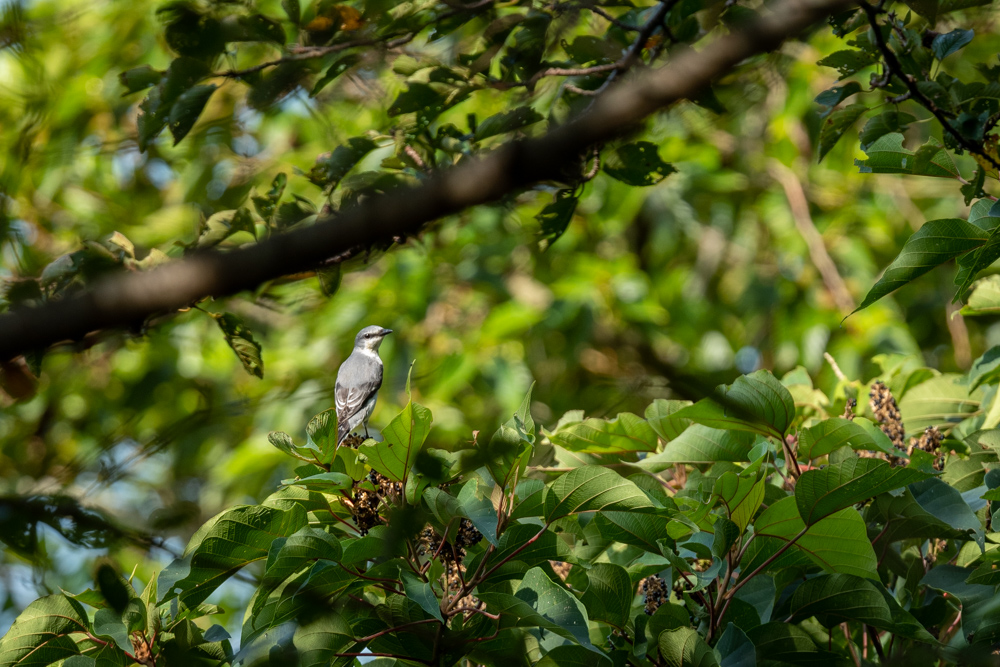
(126, 300)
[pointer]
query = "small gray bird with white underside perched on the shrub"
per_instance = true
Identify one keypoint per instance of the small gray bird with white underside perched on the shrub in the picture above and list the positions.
(358, 382)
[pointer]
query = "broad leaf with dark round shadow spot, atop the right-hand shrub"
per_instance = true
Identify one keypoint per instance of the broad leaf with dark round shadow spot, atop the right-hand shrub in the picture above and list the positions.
(757, 402)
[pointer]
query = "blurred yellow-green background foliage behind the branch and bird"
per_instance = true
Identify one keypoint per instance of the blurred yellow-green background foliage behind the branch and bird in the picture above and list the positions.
(708, 272)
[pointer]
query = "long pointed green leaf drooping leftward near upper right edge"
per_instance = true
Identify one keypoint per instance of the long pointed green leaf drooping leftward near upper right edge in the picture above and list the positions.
(936, 242)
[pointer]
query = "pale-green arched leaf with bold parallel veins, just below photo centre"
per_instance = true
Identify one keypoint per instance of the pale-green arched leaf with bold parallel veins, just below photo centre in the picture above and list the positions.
(591, 488)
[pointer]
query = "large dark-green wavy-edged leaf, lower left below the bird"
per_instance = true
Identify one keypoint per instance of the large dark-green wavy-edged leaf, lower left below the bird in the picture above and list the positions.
(234, 539)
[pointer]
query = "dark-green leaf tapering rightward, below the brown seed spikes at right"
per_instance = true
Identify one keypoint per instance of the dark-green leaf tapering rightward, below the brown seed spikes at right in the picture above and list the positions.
(820, 493)
